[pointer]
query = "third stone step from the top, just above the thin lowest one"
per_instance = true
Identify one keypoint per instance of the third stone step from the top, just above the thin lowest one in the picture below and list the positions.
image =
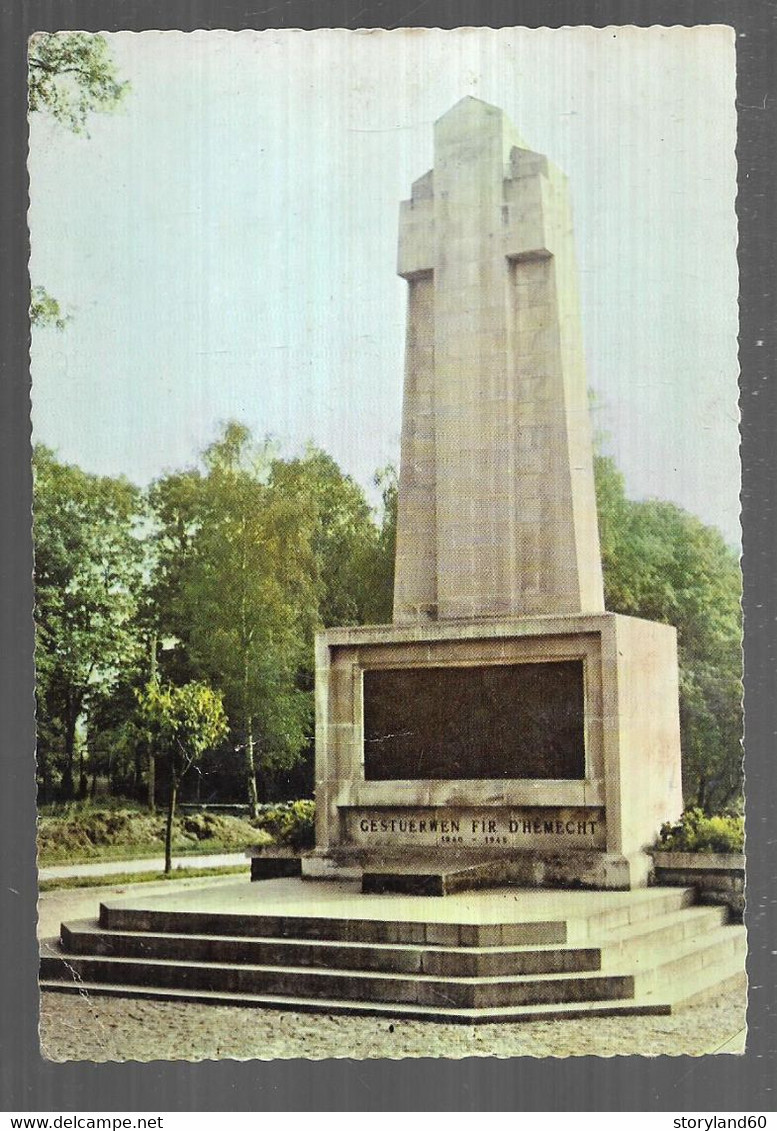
(306, 982)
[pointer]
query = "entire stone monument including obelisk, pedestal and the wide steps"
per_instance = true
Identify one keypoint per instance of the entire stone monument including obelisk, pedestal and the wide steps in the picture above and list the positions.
(503, 729)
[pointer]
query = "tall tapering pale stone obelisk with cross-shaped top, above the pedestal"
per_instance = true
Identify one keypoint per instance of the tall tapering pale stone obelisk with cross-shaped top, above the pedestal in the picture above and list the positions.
(497, 513)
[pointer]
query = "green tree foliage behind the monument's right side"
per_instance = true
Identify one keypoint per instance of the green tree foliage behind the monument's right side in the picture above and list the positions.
(664, 565)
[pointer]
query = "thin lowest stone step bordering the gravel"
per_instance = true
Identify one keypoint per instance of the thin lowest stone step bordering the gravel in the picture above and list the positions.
(388, 1011)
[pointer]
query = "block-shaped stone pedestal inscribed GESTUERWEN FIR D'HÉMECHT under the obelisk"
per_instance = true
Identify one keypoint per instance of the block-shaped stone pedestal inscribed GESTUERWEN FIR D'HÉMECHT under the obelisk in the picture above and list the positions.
(541, 750)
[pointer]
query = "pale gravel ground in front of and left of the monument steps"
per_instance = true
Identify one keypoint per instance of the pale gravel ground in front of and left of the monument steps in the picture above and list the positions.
(93, 1029)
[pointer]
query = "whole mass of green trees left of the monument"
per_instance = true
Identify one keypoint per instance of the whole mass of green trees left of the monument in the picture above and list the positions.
(222, 581)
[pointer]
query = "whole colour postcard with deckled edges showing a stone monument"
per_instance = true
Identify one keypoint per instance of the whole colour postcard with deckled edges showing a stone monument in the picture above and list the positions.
(387, 534)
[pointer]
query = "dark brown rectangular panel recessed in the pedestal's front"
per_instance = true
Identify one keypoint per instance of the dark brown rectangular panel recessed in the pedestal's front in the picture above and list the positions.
(505, 721)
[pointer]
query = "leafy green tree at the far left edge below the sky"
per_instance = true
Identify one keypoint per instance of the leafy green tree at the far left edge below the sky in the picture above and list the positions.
(88, 585)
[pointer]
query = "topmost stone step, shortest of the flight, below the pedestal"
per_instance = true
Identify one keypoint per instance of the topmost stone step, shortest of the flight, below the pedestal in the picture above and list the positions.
(117, 918)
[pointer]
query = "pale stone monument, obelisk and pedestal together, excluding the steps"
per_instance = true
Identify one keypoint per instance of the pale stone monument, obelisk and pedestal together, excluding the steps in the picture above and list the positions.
(505, 727)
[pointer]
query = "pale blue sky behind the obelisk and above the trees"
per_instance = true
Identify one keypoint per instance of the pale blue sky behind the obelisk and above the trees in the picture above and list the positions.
(227, 243)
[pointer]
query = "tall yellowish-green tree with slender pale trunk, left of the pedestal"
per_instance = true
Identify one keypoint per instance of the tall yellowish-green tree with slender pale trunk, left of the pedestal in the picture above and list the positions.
(236, 579)
